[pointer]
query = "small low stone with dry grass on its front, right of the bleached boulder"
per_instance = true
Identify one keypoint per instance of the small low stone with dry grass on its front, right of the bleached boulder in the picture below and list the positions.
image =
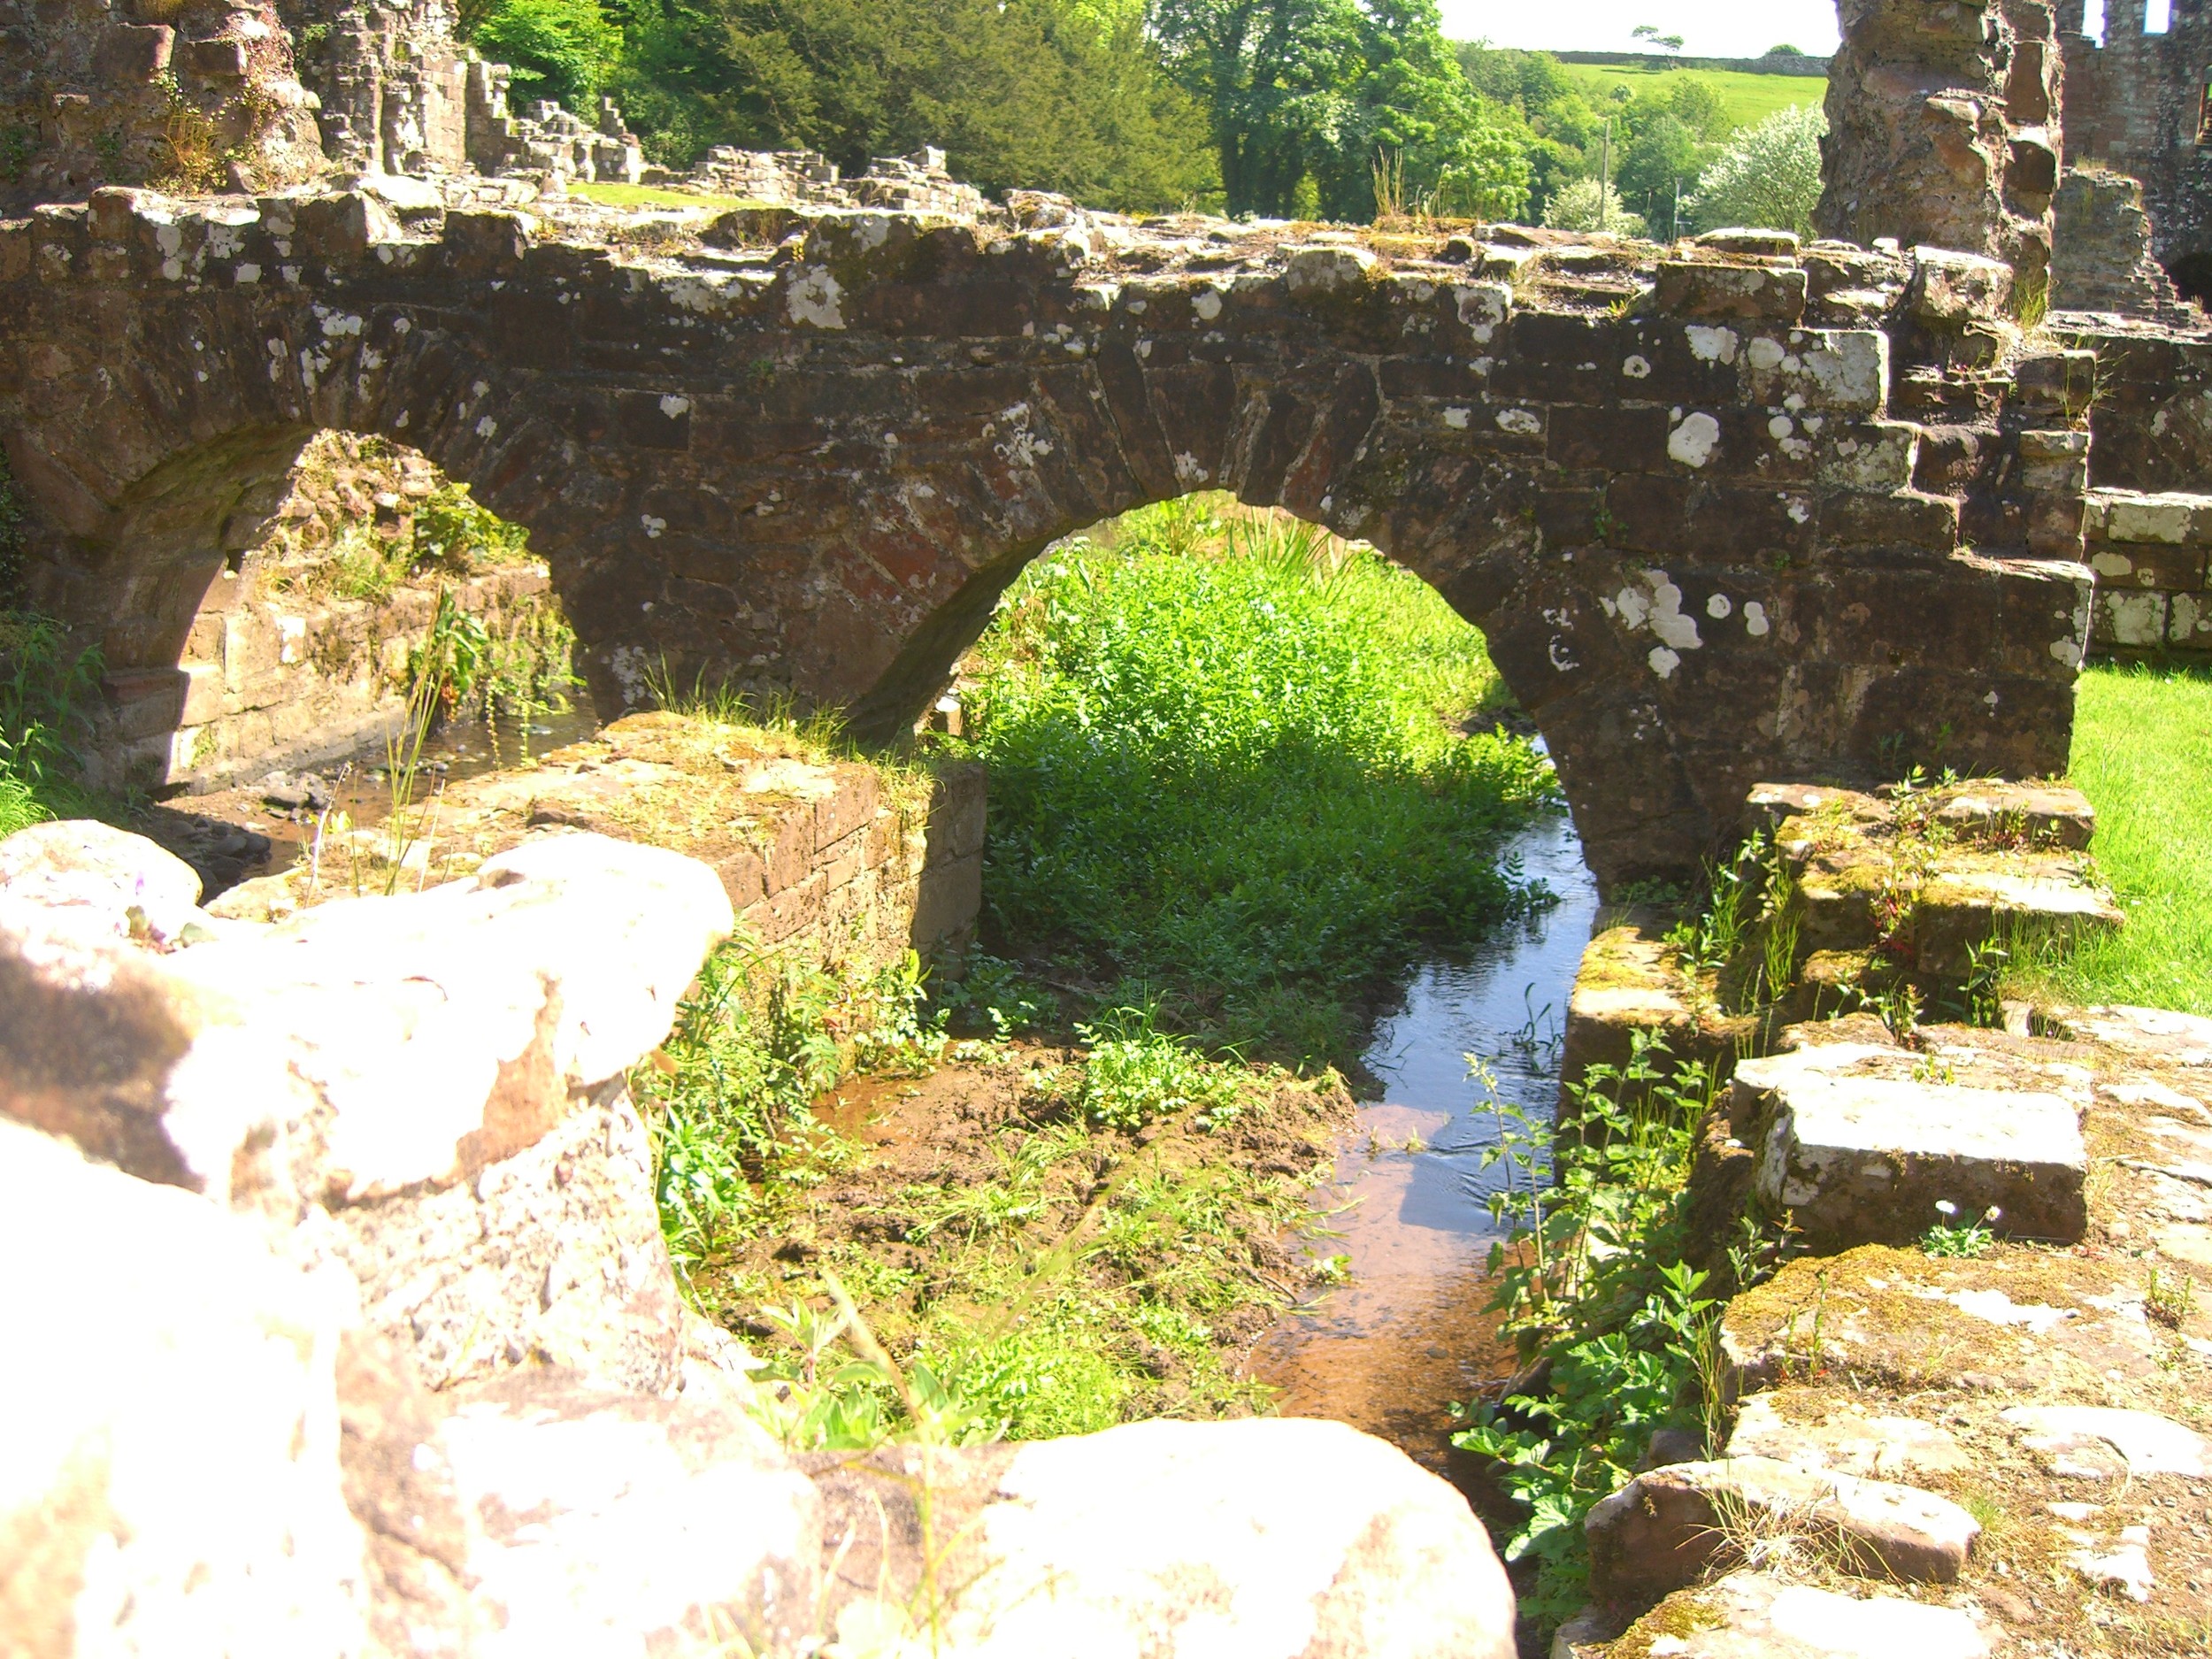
(1665, 1527)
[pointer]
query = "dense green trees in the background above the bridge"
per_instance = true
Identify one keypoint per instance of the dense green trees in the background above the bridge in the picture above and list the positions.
(1342, 109)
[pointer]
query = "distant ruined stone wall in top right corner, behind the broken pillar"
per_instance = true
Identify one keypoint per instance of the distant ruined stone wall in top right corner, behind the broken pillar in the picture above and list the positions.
(2138, 105)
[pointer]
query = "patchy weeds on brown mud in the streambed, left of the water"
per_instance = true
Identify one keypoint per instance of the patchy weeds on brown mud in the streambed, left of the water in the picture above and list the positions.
(1052, 1271)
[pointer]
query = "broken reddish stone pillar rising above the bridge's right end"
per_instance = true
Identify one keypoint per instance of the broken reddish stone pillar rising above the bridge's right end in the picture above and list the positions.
(1945, 127)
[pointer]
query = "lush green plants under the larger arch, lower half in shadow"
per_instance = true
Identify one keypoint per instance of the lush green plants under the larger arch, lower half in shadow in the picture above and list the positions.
(1227, 778)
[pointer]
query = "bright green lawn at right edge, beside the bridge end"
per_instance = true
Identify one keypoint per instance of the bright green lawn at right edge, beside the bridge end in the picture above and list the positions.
(2145, 758)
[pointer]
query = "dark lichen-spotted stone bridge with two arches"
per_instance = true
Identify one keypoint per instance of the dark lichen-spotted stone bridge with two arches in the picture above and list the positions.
(1740, 512)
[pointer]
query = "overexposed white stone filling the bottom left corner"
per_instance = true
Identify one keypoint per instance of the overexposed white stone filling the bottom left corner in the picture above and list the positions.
(174, 1432)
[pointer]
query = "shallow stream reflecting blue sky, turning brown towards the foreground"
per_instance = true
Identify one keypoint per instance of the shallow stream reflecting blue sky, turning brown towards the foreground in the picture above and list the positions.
(1408, 1335)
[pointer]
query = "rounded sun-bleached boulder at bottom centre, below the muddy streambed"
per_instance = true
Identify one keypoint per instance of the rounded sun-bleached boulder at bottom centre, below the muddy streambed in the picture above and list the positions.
(1136, 1538)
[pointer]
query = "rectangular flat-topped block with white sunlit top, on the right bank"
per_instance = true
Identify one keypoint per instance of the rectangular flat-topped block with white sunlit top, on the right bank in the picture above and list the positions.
(1861, 1149)
